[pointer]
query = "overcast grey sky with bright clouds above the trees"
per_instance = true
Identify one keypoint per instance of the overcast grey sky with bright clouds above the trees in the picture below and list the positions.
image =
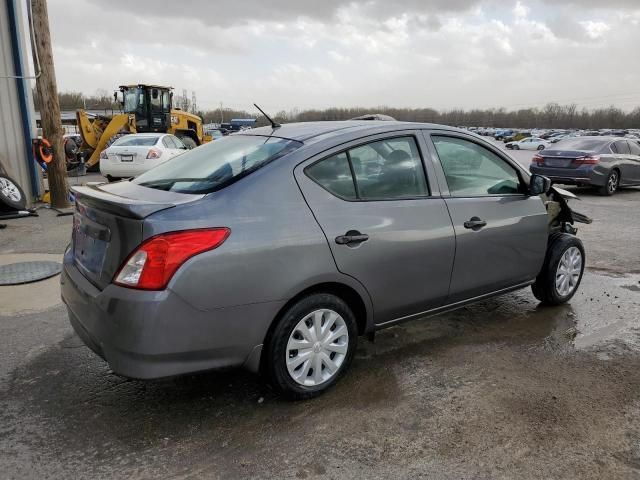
(283, 54)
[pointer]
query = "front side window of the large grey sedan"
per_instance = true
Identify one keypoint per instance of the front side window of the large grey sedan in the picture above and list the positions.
(473, 170)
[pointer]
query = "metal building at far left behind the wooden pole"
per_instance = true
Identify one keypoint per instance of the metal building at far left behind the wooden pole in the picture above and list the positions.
(17, 116)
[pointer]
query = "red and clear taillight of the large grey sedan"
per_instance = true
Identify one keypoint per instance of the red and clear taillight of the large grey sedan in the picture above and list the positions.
(152, 264)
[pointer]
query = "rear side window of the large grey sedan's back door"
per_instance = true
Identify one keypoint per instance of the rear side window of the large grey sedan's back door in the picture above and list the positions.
(384, 170)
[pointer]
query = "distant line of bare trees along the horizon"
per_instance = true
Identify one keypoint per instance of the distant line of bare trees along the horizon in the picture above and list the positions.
(552, 115)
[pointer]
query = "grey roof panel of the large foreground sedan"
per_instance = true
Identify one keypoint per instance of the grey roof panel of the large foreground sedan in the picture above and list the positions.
(307, 132)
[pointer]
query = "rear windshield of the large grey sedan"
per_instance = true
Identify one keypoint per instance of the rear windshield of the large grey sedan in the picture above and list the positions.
(217, 164)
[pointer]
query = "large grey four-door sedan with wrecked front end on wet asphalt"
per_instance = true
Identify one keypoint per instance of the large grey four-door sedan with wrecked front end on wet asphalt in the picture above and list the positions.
(276, 248)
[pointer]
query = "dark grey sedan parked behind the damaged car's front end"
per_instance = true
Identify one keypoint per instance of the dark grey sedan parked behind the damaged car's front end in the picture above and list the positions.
(604, 162)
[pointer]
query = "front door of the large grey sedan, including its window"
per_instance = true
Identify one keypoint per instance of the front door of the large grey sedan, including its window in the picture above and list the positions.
(501, 232)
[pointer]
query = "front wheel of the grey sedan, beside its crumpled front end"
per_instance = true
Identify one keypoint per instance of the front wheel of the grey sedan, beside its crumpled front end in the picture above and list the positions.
(562, 251)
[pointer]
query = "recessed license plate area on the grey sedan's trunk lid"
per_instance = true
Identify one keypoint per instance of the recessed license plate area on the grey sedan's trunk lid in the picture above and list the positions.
(90, 241)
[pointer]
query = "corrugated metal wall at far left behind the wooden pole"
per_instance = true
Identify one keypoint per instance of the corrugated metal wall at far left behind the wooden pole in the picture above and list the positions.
(13, 151)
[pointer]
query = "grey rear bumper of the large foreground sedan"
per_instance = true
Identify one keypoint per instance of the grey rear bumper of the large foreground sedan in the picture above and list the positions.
(148, 334)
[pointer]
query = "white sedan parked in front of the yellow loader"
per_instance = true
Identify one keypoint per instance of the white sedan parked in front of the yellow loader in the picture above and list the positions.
(133, 154)
